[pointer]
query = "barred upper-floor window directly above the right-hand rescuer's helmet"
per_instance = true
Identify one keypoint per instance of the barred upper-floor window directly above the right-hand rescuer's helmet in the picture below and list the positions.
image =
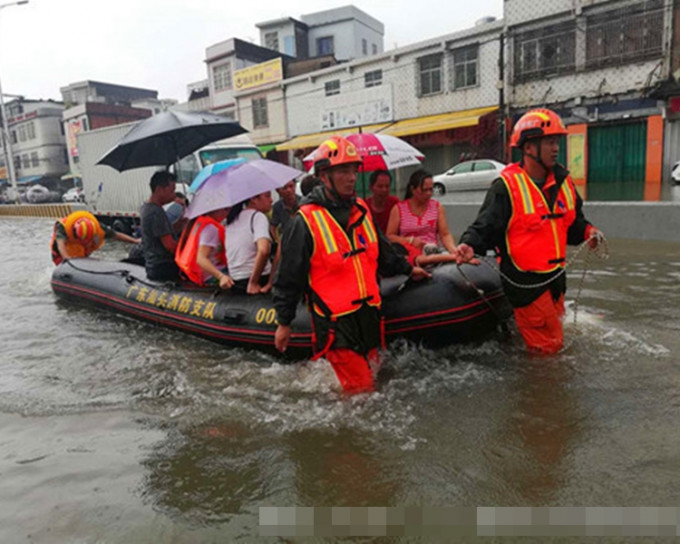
(545, 52)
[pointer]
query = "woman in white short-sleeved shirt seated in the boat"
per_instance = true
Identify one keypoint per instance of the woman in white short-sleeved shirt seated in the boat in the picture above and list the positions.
(248, 242)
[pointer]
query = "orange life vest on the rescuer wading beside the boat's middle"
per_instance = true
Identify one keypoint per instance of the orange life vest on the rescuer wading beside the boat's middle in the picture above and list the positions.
(344, 266)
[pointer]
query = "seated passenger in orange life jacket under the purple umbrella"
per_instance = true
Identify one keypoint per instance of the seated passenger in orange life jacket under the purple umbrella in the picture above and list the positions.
(200, 253)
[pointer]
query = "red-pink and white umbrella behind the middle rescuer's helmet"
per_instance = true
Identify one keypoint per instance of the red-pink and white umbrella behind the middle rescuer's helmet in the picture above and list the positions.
(379, 152)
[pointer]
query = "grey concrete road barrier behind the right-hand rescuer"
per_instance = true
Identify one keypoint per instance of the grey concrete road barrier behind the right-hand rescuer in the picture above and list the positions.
(631, 220)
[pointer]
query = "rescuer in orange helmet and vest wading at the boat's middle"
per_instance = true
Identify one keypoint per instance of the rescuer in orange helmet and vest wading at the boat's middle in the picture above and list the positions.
(333, 253)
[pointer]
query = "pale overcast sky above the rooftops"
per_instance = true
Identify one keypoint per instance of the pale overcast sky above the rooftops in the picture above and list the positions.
(160, 44)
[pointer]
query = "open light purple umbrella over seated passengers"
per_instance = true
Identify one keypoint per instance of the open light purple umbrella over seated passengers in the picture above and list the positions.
(238, 183)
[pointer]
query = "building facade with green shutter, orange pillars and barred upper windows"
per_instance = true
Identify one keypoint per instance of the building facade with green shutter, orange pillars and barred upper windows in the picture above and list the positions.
(597, 64)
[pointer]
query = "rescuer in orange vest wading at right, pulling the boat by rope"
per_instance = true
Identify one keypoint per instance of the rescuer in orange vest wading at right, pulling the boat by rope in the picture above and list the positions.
(530, 214)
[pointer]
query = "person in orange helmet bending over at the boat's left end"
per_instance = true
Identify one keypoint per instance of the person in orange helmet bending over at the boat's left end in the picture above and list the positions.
(79, 234)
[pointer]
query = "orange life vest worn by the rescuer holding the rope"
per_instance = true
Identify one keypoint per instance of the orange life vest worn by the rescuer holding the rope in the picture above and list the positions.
(536, 236)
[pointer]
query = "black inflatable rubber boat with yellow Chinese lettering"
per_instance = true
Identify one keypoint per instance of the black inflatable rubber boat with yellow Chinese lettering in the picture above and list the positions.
(455, 306)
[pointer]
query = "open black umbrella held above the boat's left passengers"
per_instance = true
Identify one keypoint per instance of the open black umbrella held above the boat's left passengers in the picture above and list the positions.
(167, 137)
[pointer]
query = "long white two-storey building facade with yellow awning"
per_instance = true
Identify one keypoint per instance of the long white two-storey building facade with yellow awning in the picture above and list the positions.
(441, 95)
